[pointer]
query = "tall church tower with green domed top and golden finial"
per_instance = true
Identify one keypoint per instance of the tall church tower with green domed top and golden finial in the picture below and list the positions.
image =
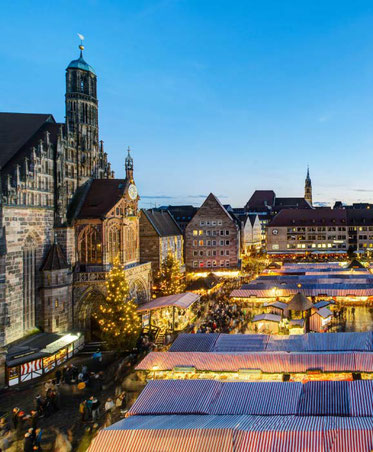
(82, 116)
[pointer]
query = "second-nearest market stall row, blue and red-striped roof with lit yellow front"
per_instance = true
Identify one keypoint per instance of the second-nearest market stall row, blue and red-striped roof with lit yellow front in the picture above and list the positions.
(241, 357)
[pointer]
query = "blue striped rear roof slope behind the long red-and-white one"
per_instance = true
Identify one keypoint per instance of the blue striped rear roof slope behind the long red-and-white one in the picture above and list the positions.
(260, 342)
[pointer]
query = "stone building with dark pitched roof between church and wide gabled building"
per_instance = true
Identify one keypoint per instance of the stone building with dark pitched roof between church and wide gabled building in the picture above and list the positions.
(160, 236)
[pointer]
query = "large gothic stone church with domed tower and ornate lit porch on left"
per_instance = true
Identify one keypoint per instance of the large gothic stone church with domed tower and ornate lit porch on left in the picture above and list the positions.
(63, 216)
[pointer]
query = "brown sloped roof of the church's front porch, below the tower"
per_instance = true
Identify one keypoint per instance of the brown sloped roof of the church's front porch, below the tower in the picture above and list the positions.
(101, 196)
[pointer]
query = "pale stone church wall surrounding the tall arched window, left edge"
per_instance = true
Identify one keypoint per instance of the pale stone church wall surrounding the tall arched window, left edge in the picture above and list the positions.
(20, 224)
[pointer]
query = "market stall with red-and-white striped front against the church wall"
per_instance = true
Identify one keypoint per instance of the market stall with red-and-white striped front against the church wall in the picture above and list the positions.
(39, 355)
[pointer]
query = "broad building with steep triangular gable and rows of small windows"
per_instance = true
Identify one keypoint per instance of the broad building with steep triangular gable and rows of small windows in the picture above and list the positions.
(212, 237)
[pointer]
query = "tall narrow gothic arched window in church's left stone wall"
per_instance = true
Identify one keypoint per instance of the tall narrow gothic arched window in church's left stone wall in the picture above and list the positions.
(29, 257)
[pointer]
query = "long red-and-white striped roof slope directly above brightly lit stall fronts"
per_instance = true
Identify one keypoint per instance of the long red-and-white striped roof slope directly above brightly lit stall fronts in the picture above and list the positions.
(277, 362)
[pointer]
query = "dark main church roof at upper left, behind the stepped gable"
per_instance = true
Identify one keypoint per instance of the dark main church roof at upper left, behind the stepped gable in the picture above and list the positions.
(17, 129)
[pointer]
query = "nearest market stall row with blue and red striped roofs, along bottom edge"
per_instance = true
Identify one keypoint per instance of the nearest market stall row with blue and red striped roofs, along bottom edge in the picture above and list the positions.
(210, 416)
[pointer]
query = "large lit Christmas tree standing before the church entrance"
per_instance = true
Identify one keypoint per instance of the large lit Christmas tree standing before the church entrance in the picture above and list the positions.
(119, 323)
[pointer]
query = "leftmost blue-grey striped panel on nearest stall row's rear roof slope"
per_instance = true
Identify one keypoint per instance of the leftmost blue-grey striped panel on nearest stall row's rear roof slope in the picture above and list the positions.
(174, 396)
